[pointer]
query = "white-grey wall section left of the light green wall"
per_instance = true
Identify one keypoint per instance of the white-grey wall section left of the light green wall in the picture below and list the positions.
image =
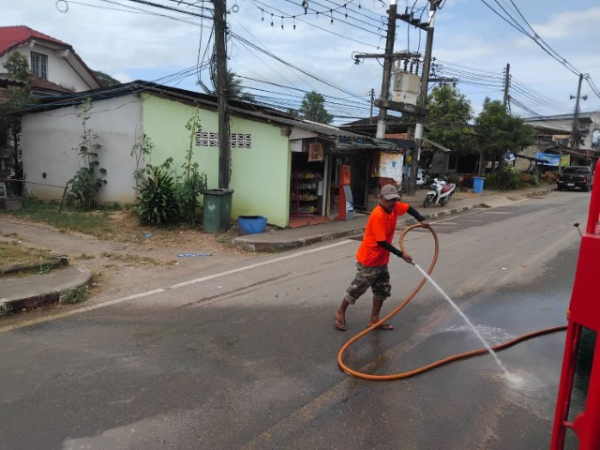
(49, 140)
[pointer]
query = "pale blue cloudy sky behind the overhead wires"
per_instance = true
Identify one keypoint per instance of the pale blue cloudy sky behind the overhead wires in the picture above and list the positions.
(281, 53)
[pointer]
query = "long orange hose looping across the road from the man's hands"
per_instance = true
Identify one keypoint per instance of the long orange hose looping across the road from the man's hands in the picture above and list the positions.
(435, 364)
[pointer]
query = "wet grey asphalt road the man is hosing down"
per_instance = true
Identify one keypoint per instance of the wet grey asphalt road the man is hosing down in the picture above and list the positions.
(248, 360)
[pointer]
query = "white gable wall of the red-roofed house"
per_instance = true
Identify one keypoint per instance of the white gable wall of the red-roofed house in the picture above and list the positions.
(59, 70)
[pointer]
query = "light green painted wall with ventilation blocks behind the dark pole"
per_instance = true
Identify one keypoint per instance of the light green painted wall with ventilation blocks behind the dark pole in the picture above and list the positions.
(260, 175)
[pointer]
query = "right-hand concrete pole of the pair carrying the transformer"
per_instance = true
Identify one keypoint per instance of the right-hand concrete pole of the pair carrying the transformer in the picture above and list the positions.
(412, 186)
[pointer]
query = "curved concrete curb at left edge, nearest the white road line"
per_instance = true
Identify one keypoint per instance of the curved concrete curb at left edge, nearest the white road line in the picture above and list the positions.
(52, 295)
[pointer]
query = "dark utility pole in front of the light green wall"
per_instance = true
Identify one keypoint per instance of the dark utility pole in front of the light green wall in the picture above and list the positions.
(220, 11)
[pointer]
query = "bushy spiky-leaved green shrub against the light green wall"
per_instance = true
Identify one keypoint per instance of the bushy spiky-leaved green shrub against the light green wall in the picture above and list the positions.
(157, 200)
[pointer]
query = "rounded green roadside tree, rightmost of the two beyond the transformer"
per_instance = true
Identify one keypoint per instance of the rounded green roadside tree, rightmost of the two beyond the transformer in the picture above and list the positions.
(498, 132)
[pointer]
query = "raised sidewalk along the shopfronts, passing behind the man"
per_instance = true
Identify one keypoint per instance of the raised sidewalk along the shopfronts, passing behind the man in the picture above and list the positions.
(279, 240)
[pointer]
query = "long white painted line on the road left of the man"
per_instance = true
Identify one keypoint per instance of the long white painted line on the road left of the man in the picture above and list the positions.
(162, 290)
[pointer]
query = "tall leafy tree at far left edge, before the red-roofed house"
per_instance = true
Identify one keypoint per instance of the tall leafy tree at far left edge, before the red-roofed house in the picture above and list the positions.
(15, 99)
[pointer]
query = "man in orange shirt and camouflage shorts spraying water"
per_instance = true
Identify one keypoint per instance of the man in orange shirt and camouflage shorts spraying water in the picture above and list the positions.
(373, 255)
